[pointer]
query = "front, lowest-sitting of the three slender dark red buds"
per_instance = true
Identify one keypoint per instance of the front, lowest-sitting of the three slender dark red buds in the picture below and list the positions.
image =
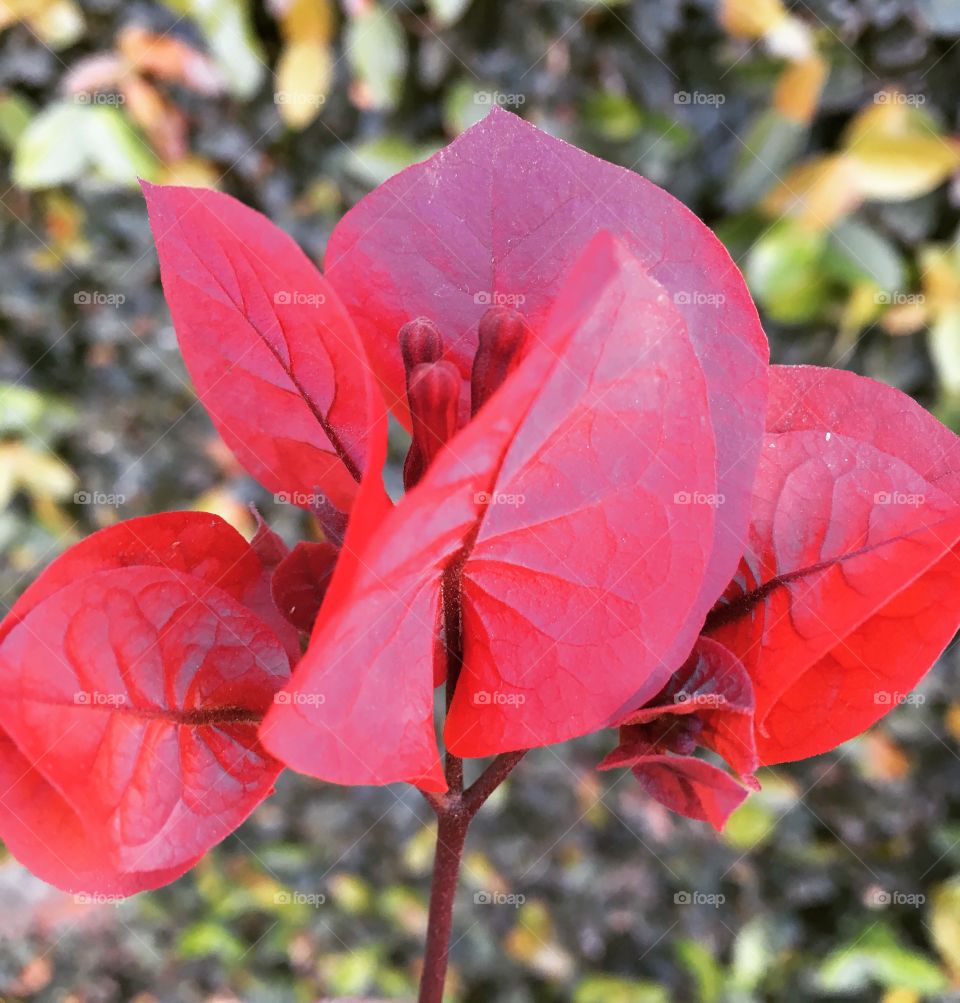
(434, 393)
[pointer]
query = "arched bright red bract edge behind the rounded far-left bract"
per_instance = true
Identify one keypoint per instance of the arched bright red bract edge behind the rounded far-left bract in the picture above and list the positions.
(194, 543)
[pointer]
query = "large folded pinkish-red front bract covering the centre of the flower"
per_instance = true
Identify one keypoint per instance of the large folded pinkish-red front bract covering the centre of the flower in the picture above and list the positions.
(578, 567)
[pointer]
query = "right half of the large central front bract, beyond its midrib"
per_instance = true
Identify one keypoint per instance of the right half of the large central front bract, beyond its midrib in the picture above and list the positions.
(584, 568)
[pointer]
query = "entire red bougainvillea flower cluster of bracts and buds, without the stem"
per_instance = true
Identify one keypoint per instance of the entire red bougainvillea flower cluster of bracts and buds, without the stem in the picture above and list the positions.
(617, 515)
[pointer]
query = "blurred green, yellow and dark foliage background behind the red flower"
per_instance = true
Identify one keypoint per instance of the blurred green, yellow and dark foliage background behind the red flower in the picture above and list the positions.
(841, 880)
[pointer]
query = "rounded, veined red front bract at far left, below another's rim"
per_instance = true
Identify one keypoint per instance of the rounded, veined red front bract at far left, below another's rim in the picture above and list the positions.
(136, 695)
